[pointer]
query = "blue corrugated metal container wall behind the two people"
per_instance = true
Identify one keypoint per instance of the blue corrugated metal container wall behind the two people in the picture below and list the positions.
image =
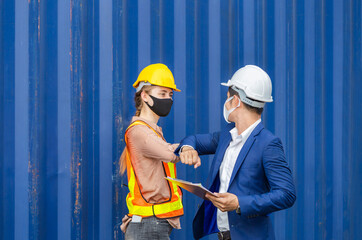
(66, 69)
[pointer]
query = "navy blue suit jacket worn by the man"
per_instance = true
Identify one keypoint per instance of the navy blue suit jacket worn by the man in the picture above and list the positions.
(261, 180)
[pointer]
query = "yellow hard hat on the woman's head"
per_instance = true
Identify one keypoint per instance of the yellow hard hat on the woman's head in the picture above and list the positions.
(156, 74)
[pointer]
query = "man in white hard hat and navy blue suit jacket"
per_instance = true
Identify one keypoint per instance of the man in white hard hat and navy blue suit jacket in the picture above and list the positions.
(249, 173)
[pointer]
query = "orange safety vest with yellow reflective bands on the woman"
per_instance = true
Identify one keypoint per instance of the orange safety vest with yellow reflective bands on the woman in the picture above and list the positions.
(137, 204)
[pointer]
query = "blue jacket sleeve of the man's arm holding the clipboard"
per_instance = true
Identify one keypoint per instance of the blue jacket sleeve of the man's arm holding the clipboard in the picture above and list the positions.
(279, 177)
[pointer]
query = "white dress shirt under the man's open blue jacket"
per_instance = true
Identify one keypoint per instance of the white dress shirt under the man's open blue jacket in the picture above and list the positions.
(227, 167)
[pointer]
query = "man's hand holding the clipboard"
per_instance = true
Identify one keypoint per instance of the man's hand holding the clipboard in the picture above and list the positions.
(224, 201)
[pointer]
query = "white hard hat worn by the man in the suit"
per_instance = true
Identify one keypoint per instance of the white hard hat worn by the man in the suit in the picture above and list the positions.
(252, 83)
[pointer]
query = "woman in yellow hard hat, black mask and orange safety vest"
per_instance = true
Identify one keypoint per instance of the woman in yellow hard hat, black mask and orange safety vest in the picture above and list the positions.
(154, 204)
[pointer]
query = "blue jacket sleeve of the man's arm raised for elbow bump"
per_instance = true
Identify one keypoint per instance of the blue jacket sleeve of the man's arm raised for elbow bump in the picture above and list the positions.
(202, 143)
